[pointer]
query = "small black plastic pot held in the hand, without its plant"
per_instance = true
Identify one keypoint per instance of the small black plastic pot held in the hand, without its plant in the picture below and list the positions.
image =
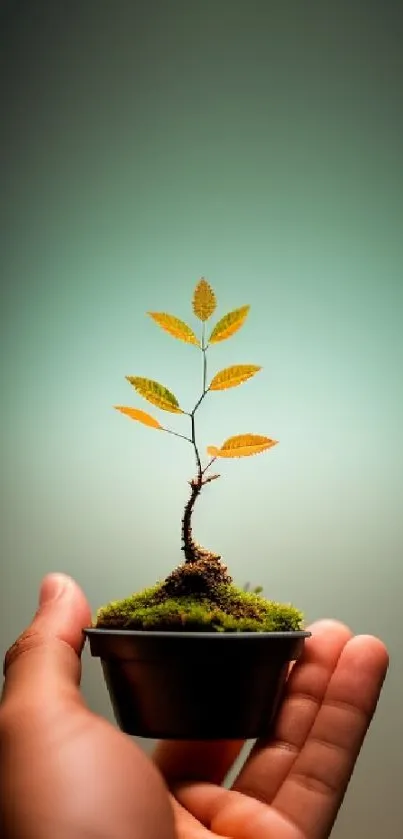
(195, 685)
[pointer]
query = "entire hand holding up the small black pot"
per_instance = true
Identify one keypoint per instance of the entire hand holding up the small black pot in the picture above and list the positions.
(67, 773)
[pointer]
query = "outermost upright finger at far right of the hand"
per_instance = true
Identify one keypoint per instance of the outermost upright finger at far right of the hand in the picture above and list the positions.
(314, 789)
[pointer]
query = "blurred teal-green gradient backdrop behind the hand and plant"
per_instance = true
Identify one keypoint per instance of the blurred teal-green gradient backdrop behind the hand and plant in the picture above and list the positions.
(258, 144)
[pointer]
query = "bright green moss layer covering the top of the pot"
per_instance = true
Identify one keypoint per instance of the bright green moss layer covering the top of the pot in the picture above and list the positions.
(227, 609)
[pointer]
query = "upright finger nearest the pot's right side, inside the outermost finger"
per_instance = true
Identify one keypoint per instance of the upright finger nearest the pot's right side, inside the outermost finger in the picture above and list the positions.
(270, 762)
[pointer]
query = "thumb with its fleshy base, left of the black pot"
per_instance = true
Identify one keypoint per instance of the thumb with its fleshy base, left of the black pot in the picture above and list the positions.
(66, 773)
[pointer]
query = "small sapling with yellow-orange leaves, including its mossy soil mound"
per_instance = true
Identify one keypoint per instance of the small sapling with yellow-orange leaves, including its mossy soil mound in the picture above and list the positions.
(199, 594)
